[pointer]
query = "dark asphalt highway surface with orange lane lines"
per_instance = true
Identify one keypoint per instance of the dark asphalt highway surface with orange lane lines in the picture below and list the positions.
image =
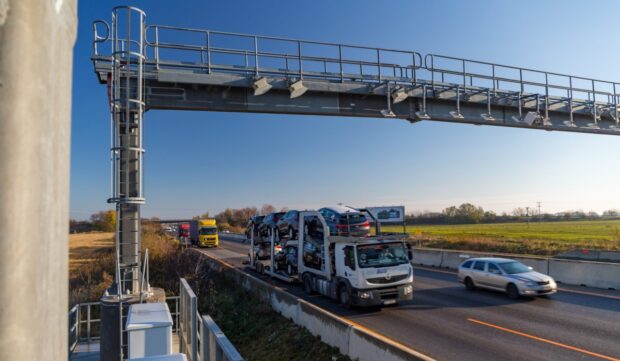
(447, 322)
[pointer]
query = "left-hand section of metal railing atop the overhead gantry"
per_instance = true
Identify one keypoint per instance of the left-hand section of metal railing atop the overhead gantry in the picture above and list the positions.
(263, 55)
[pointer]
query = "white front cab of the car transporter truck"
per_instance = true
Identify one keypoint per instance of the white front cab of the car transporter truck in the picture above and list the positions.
(356, 271)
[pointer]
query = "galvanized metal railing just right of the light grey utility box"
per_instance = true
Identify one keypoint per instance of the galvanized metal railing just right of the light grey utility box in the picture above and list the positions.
(200, 339)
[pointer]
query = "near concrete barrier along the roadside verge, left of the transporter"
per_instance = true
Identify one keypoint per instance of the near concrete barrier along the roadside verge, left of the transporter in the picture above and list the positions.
(351, 339)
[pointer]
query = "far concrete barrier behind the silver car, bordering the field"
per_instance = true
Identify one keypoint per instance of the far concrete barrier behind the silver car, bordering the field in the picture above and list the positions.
(571, 272)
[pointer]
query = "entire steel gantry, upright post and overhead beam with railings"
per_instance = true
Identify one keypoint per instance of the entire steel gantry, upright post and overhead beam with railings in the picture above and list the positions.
(166, 67)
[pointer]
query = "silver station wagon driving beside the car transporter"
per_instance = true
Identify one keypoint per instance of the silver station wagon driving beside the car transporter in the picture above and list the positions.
(507, 275)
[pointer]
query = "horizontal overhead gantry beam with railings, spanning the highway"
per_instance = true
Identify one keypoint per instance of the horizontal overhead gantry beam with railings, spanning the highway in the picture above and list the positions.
(287, 76)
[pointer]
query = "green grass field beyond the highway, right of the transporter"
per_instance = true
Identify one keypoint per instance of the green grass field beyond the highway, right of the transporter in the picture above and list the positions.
(545, 238)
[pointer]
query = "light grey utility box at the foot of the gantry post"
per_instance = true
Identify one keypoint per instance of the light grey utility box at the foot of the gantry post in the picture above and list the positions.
(149, 330)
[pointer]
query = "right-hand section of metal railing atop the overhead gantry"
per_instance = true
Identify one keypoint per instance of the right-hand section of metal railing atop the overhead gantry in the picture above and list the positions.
(545, 89)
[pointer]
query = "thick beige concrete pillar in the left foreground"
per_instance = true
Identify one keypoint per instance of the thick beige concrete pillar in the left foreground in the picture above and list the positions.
(36, 57)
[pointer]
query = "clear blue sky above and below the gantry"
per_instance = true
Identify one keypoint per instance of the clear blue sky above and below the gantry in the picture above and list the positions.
(207, 161)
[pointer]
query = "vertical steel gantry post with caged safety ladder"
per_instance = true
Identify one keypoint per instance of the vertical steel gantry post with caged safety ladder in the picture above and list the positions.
(127, 107)
